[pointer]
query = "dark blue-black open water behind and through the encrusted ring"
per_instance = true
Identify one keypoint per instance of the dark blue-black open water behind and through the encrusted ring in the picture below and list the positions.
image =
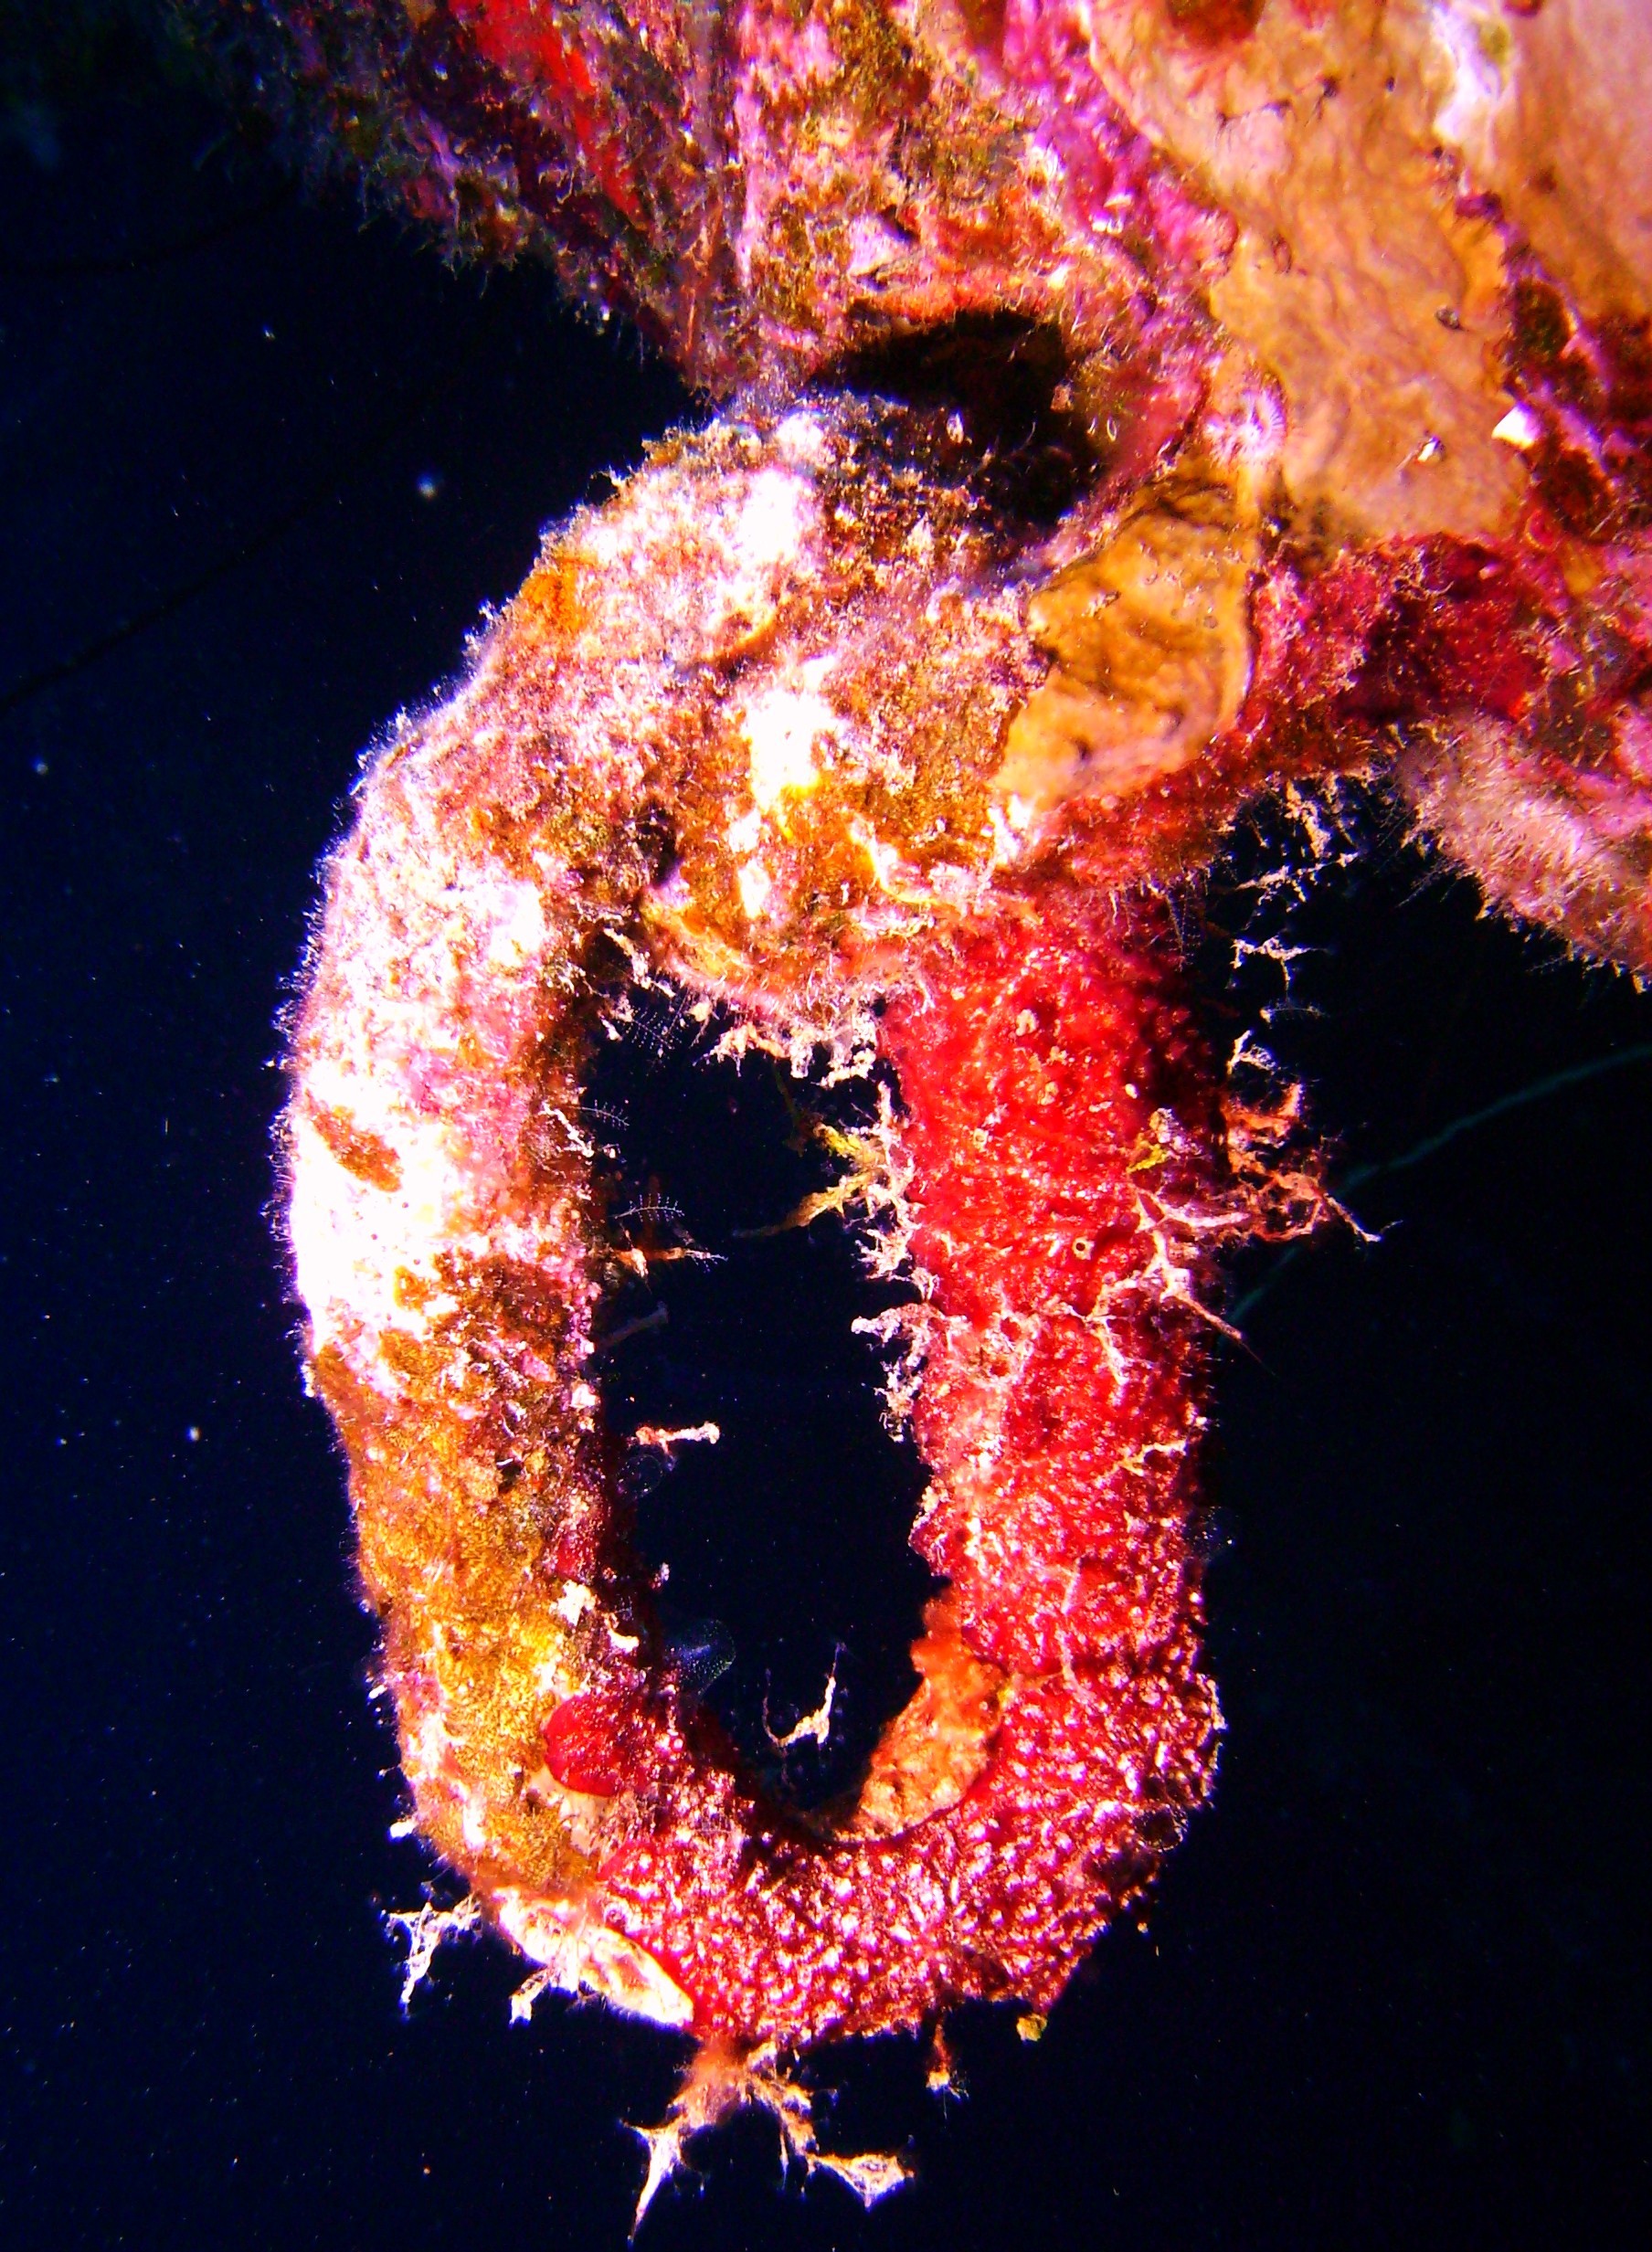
(1394, 1990)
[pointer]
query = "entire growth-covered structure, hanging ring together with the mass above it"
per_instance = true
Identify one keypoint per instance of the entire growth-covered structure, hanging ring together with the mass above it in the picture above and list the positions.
(1123, 413)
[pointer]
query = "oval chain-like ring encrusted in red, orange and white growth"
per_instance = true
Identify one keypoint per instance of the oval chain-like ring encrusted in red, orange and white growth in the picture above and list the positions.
(594, 807)
